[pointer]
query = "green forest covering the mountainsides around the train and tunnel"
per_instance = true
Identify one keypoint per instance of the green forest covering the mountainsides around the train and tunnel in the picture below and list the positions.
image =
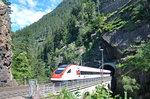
(64, 36)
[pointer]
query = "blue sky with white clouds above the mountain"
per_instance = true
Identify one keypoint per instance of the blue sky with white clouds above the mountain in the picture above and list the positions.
(26, 12)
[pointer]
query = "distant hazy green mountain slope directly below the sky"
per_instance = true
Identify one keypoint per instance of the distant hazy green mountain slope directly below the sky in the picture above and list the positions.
(50, 21)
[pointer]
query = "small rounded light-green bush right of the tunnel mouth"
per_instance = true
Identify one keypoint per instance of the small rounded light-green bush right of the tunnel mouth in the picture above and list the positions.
(129, 84)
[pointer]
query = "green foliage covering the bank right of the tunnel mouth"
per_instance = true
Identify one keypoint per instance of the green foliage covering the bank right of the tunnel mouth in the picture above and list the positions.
(136, 66)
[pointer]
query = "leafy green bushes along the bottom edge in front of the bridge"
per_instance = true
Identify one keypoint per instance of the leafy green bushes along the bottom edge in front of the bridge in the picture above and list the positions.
(101, 93)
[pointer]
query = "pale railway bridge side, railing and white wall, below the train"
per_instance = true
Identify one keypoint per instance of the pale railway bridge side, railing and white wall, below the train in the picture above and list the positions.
(80, 85)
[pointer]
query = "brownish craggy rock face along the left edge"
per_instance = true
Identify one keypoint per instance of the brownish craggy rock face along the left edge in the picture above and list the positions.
(5, 47)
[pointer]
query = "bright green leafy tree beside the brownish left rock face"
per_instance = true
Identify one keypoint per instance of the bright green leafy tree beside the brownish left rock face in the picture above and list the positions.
(21, 65)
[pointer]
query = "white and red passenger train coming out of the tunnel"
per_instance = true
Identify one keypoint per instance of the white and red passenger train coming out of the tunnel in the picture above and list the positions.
(75, 72)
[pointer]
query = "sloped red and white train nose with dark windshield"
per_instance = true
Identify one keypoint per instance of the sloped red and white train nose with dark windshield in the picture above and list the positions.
(58, 73)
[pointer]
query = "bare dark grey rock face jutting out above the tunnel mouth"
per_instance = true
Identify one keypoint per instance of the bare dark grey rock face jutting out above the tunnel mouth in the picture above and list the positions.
(122, 39)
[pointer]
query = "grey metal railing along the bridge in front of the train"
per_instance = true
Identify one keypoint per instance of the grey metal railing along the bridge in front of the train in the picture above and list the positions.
(71, 85)
